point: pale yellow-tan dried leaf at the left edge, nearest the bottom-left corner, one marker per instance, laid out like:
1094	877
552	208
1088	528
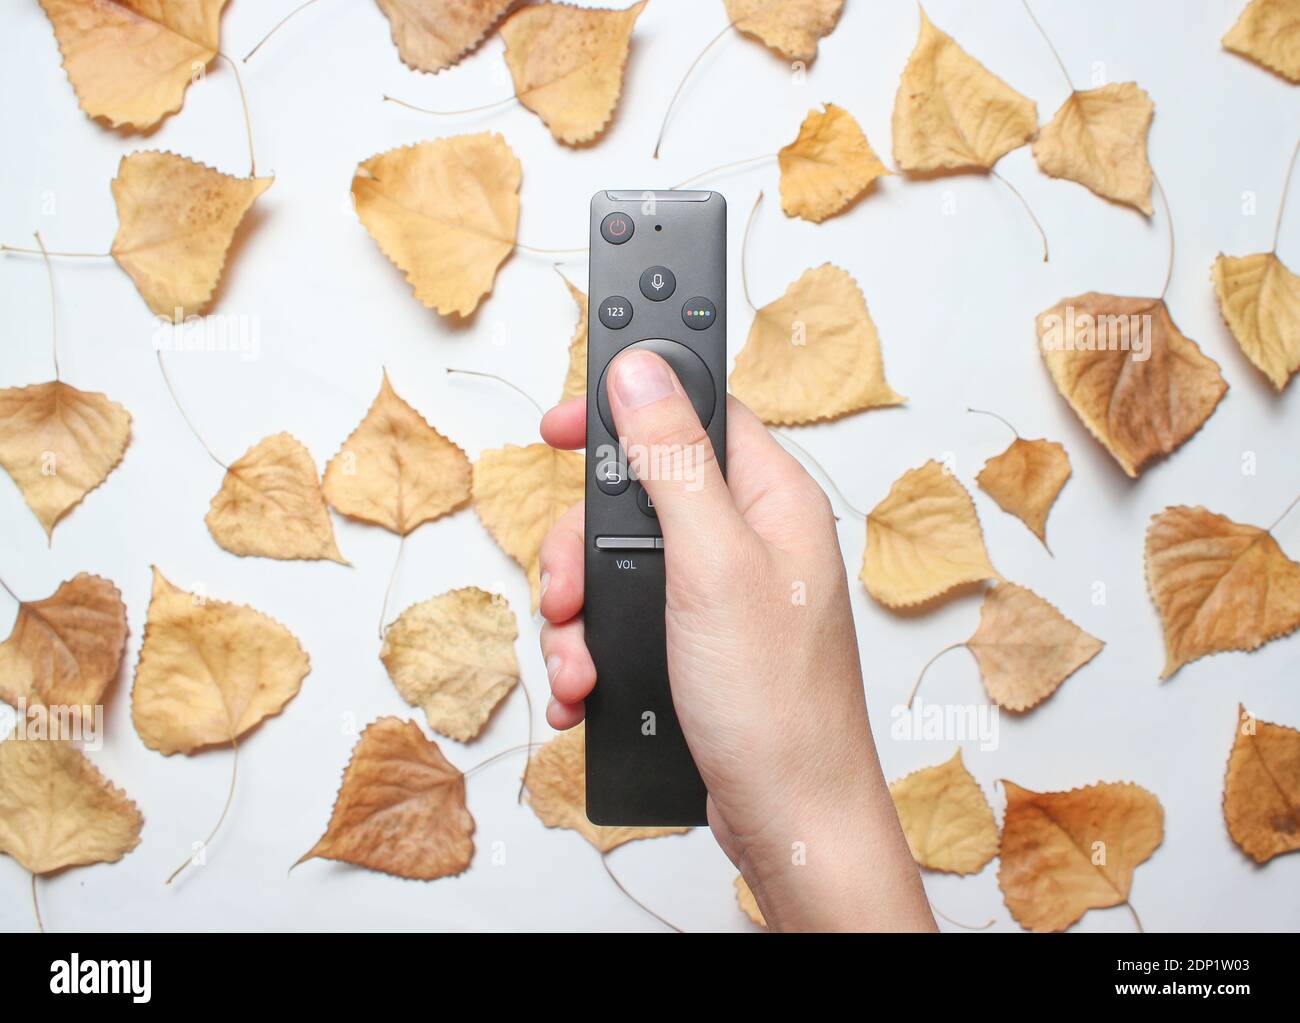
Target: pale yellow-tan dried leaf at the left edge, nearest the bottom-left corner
58	810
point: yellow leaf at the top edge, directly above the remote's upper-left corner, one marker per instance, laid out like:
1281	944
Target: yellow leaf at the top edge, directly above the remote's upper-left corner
567	64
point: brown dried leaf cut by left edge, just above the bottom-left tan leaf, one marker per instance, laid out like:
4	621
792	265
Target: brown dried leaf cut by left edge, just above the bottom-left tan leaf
66	649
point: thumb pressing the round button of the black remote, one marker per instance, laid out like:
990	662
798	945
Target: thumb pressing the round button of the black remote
670	450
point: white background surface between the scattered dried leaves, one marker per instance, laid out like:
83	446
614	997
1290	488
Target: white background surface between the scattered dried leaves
954	297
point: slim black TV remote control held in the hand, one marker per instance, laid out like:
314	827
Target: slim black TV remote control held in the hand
658	281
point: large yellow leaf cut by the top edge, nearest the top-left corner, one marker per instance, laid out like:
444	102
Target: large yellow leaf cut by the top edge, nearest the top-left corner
131	60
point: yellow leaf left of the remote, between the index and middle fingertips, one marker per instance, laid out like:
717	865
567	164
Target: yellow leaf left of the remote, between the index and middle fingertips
521	493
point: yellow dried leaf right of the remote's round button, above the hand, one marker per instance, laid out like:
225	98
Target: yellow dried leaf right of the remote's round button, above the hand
813	354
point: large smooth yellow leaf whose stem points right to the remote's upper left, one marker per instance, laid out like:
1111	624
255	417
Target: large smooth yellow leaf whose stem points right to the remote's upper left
445	213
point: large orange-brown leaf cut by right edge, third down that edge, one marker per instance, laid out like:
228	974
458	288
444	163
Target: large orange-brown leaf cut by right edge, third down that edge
1217	586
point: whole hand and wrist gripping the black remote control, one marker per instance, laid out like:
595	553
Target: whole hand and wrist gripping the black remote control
762	658
